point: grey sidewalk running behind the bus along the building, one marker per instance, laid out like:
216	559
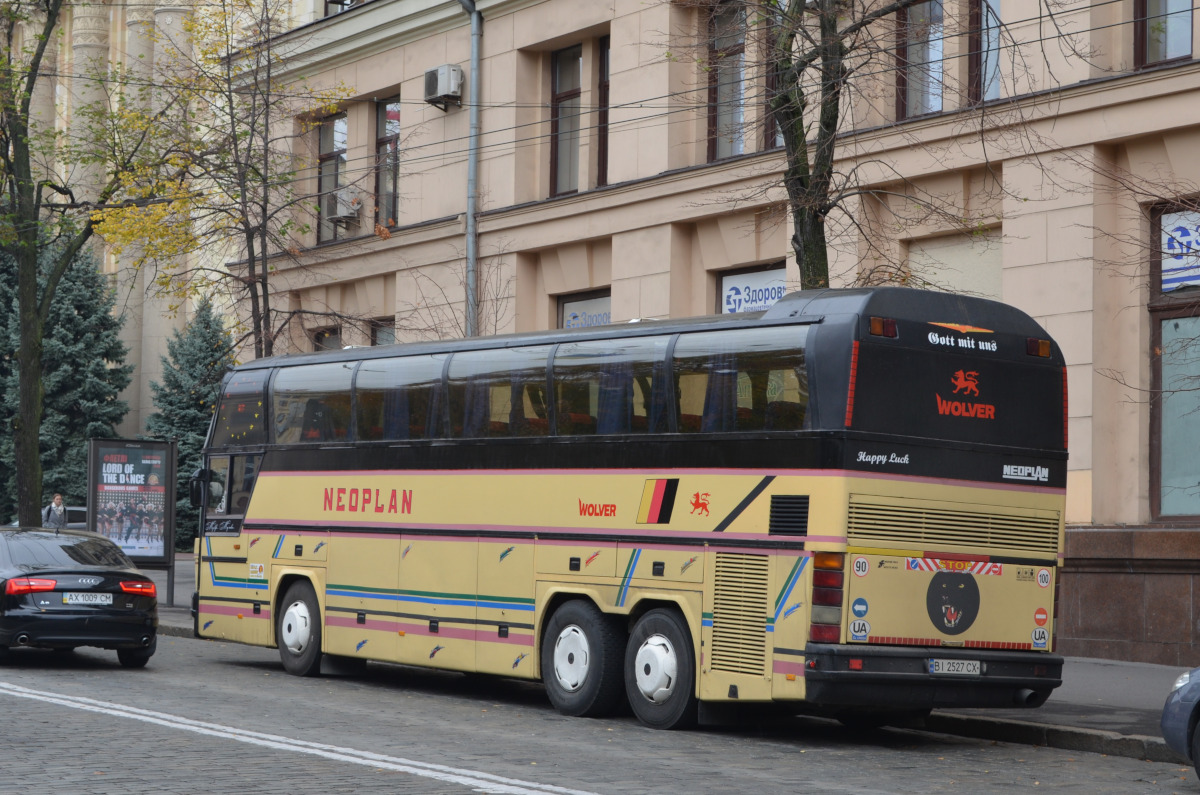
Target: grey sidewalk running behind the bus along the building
1103	707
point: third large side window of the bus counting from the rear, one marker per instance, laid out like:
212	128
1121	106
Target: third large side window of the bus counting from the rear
500	393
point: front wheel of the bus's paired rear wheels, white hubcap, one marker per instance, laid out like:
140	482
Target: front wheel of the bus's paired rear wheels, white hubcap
581	659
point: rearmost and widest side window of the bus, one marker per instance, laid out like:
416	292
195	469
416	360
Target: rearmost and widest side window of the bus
751	380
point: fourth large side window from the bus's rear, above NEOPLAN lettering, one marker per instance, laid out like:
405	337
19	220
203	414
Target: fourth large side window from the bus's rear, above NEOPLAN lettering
398	398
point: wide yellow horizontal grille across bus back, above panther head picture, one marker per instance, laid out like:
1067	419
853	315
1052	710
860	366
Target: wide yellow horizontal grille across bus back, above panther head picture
923	525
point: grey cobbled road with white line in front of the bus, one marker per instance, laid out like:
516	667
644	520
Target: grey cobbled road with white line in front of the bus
218	718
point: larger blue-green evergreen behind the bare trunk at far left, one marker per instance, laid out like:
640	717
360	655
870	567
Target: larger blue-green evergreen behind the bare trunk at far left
83	361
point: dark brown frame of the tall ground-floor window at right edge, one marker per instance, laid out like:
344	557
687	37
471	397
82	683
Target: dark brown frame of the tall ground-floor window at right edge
1163	307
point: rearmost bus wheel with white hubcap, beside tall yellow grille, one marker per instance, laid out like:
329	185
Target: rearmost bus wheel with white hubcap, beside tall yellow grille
661	672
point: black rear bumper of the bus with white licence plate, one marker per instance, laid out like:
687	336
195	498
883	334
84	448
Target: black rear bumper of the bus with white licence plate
899	678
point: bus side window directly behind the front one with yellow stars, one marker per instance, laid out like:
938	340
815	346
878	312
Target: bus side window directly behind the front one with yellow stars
313	404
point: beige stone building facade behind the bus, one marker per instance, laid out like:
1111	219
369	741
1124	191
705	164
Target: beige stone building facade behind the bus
1047	157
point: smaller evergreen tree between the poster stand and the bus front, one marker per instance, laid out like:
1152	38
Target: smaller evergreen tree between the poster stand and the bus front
191	385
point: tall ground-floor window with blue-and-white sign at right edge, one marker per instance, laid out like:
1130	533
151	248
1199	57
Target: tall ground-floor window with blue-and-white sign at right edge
1175	321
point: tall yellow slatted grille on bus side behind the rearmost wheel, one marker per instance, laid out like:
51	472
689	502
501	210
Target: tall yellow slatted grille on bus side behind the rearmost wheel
740	614
